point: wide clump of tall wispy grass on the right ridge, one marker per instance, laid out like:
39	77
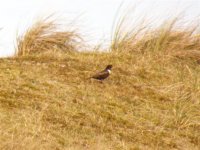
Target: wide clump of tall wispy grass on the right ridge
172	36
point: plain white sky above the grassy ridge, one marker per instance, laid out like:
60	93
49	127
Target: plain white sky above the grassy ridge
95	17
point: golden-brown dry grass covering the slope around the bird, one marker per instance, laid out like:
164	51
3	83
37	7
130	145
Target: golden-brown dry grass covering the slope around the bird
151	100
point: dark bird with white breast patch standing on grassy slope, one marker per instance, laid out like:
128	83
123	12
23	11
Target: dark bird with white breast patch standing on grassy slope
103	74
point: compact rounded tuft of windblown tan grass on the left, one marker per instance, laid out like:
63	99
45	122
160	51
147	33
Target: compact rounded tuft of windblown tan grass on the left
47	35
